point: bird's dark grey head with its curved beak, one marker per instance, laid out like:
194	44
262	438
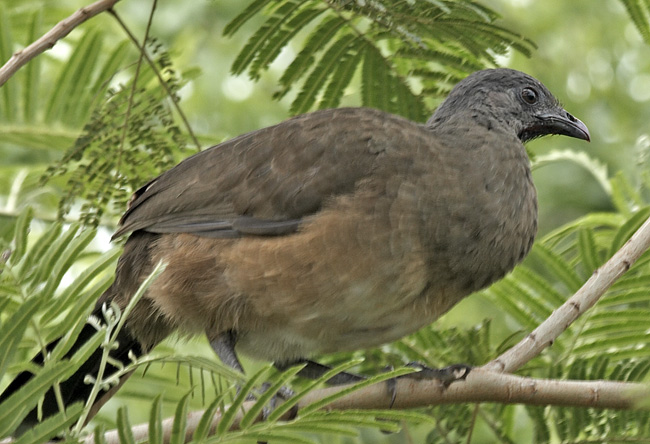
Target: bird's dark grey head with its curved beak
516	100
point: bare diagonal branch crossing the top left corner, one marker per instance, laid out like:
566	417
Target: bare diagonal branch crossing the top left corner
49	39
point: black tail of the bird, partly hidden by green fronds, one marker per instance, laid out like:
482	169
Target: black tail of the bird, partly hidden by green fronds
74	389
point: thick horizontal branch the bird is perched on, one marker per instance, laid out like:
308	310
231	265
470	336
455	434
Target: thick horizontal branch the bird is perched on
480	386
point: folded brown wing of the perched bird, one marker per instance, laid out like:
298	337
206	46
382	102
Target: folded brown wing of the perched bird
267	181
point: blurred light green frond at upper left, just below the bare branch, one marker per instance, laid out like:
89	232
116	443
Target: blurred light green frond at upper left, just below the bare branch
43	115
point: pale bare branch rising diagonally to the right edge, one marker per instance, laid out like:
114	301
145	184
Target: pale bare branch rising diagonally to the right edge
585	298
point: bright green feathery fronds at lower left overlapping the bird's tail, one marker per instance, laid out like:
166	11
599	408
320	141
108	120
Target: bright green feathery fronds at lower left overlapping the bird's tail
37	308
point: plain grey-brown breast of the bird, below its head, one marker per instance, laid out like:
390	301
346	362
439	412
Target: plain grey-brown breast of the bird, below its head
482	216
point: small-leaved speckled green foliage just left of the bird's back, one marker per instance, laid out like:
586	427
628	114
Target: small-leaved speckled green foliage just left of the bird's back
131	136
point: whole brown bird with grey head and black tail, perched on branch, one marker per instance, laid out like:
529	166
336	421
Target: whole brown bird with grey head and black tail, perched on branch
336	230
